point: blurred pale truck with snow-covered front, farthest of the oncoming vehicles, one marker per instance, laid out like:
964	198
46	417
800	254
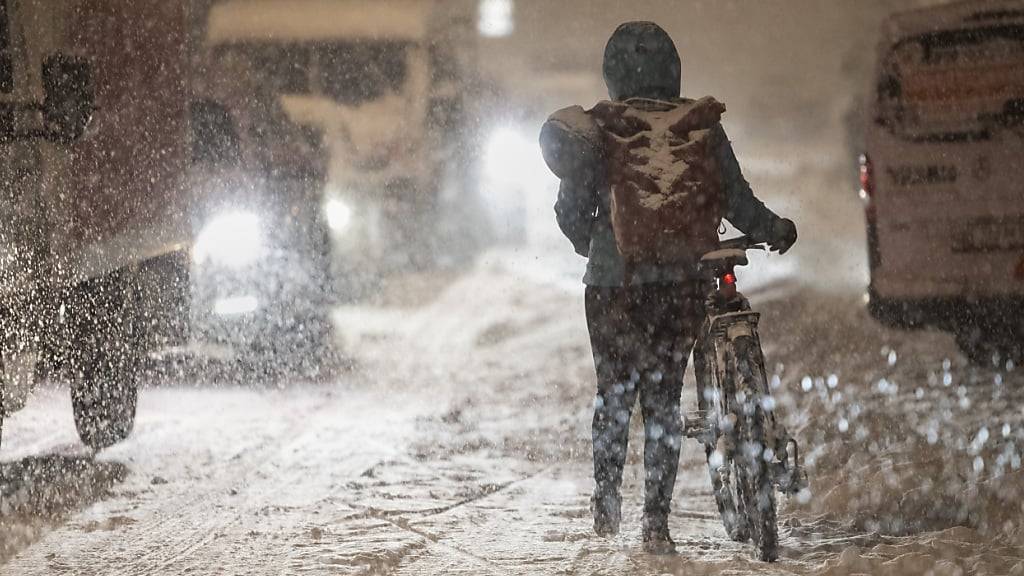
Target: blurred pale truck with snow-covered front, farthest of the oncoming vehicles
386	83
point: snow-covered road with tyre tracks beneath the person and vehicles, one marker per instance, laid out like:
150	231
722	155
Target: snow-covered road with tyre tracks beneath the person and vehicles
459	445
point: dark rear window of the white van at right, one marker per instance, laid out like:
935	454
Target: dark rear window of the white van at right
954	85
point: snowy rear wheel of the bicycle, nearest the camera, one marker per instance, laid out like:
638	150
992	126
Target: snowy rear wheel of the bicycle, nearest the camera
752	472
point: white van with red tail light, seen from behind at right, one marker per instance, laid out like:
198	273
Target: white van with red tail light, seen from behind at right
943	176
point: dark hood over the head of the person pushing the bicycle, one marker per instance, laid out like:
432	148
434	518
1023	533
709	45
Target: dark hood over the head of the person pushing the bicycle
642	61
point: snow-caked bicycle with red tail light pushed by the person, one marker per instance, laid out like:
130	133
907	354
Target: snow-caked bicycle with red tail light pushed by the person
750	454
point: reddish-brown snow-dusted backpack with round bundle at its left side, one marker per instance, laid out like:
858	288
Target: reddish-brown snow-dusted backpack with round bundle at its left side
660	162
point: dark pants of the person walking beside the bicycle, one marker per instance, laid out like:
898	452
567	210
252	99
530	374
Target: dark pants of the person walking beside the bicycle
642	338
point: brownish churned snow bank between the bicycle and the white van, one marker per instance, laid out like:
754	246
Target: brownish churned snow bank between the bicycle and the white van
905	442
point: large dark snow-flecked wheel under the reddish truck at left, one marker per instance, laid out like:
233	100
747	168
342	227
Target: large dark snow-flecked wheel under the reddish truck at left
106	366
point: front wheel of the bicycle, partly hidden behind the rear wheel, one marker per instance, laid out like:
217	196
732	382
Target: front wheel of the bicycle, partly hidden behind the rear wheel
730	506
